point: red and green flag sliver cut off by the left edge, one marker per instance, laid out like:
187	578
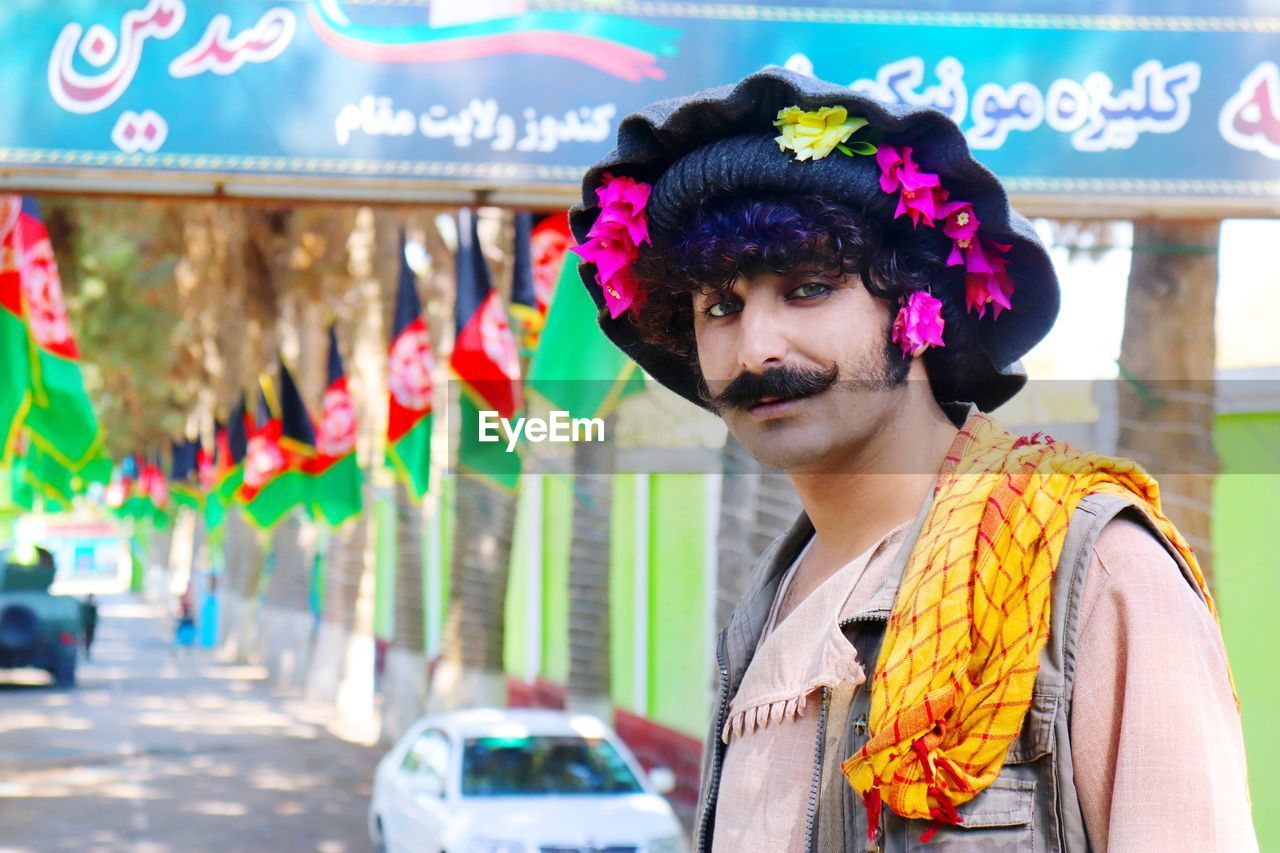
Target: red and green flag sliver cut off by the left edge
15	345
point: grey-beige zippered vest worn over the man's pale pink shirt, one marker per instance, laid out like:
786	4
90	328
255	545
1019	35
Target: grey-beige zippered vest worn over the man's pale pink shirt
1032	806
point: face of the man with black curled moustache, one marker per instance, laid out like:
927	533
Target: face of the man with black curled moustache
801	367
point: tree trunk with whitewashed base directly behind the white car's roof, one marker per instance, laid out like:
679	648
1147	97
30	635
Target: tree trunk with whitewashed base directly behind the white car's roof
472	662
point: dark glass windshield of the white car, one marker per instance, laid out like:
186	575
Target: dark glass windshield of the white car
545	765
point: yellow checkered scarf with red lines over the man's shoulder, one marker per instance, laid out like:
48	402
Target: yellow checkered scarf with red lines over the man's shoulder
962	649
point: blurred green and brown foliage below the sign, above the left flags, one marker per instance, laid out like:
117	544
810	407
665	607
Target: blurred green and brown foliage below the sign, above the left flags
179	307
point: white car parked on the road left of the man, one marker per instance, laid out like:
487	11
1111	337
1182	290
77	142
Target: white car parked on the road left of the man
519	782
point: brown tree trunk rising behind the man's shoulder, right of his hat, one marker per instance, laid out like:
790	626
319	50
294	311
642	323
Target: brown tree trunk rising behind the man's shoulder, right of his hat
1168	361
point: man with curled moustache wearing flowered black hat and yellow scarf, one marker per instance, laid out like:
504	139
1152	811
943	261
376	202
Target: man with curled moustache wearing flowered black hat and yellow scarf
968	640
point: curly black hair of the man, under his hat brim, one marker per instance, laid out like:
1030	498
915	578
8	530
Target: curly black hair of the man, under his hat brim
733	236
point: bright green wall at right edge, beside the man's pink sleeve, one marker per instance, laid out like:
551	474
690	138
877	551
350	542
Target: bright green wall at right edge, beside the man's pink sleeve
1247	589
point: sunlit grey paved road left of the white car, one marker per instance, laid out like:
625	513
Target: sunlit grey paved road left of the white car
154	754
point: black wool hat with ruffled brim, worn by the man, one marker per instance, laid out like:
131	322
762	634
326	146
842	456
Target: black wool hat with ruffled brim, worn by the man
721	142
